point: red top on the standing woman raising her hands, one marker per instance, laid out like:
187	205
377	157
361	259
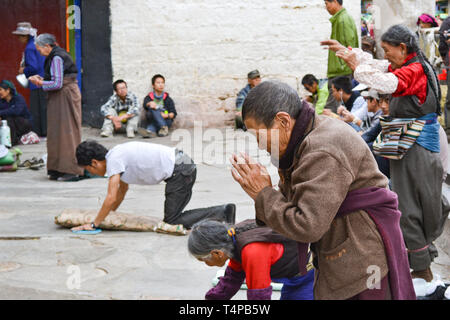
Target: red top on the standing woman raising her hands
412	81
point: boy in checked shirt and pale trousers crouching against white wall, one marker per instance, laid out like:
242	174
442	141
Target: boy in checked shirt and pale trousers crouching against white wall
121	110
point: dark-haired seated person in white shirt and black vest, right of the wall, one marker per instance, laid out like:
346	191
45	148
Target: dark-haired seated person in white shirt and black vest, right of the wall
351	101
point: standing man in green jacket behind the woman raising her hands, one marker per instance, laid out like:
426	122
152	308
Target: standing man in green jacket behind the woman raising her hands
344	30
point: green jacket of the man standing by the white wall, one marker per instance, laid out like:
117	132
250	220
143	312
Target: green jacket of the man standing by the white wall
343	29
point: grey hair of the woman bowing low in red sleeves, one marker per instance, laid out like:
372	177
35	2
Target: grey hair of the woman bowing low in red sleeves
209	235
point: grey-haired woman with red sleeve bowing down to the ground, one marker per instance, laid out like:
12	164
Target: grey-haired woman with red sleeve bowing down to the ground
257	254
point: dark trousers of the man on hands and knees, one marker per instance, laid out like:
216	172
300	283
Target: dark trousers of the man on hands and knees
179	192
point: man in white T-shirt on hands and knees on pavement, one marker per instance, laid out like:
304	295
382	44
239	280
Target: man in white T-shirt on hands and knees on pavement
148	164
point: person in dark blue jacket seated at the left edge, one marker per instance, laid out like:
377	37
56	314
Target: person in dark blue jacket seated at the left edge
14	110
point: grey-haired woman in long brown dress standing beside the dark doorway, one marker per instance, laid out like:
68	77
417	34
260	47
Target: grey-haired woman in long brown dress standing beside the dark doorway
63	109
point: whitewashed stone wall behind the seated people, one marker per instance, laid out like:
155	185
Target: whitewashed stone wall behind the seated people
205	48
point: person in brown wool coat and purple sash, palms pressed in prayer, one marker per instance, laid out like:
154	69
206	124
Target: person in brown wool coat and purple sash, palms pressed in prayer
331	195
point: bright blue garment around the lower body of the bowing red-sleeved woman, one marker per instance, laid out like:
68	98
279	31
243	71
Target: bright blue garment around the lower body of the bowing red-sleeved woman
297	288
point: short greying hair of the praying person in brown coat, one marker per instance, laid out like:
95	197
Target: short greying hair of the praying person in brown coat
265	101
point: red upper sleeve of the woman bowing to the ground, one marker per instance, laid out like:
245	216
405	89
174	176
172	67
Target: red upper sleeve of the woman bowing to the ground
257	260
